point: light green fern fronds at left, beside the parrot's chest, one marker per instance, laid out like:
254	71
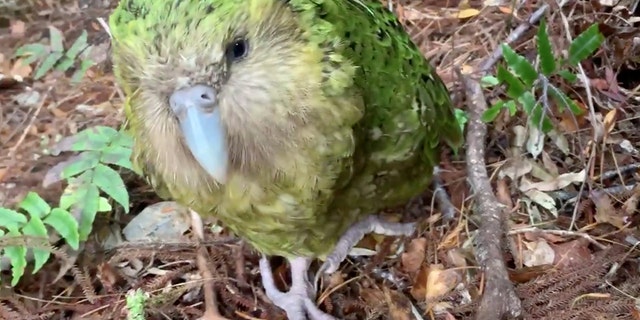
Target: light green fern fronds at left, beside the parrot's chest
87	175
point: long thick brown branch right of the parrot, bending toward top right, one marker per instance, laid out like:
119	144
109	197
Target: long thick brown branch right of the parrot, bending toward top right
499	298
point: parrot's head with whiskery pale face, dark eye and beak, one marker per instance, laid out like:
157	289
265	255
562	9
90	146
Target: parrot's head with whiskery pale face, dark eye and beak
225	83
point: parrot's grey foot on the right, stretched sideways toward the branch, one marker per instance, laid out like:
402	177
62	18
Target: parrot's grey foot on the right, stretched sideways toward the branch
355	233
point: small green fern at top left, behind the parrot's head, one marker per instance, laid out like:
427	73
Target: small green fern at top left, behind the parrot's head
54	57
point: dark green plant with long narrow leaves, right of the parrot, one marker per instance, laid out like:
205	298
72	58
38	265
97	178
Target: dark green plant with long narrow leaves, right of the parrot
529	88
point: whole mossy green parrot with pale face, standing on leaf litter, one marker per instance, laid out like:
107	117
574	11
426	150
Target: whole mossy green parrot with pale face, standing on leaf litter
291	121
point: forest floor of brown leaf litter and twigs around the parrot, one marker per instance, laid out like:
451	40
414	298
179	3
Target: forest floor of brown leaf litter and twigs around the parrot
570	205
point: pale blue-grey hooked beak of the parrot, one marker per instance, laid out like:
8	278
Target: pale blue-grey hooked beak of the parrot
199	116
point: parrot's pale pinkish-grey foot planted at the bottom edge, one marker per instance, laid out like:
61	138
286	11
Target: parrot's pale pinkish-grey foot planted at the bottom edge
297	302
